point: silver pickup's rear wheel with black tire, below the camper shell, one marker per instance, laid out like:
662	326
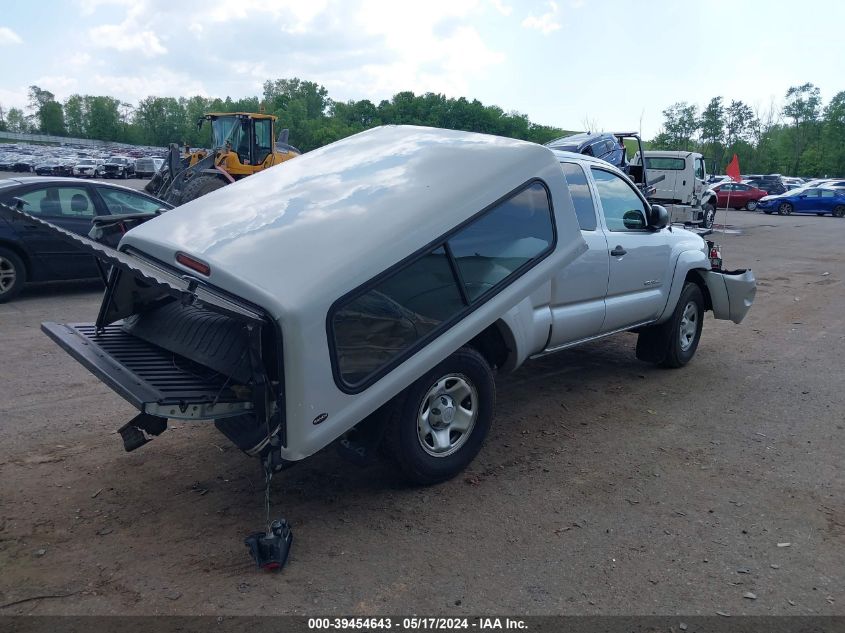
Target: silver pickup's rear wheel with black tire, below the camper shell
432	436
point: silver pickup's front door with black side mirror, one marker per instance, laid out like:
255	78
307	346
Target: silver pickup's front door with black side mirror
639	274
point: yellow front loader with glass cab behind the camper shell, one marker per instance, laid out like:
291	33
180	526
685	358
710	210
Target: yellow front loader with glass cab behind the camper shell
242	144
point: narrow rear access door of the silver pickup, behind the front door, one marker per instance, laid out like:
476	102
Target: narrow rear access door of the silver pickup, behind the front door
579	289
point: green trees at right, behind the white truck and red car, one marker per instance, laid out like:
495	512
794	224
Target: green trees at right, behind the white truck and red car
802	137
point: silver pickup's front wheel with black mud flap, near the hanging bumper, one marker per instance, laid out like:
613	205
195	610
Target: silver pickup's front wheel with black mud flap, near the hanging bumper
673	343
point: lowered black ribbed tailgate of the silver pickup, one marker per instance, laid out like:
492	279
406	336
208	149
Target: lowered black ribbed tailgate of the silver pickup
152	379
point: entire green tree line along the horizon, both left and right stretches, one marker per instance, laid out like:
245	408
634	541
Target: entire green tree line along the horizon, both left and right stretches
802	136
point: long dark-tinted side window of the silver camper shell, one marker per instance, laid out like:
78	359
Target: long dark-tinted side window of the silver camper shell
379	325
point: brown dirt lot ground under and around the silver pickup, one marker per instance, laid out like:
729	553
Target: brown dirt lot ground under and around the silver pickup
606	487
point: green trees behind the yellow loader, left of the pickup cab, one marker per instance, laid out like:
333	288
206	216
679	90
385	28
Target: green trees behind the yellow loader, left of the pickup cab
304	107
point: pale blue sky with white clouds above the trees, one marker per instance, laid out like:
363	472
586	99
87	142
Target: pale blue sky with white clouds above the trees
608	65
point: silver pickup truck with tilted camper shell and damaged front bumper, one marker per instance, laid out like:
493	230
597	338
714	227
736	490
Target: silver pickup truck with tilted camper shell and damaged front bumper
369	291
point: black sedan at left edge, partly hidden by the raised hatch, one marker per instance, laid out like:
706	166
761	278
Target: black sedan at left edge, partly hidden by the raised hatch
30	252
